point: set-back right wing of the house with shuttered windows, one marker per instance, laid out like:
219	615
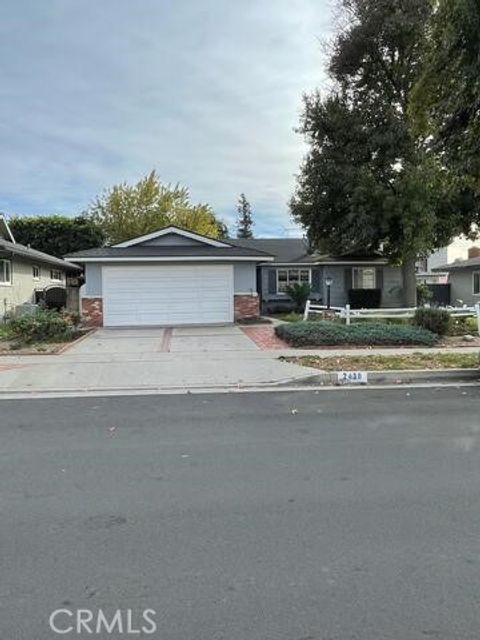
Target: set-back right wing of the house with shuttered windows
293	262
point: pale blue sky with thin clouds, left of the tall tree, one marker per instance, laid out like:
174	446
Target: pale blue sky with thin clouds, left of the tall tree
207	92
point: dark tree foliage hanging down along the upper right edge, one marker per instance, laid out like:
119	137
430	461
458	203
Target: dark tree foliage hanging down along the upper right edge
445	105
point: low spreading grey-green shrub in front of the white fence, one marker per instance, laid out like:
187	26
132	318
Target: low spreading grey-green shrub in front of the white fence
312	334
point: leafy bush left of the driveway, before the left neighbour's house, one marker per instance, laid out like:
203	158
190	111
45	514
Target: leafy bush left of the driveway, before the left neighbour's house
45	325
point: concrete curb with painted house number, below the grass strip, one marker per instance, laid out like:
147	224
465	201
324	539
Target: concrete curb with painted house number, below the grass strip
421	376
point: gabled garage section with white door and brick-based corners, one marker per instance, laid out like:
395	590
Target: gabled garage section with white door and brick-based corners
170	277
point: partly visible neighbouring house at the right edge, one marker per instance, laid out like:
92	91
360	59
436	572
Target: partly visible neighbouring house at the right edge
464	278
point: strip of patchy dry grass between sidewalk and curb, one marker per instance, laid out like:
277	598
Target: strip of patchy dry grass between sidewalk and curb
389	363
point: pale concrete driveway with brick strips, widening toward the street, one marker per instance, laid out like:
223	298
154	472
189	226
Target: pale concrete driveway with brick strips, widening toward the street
118	360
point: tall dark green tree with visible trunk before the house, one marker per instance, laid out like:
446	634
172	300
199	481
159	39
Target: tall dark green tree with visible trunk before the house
368	182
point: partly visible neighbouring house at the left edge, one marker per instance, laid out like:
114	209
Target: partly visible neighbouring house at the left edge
24	272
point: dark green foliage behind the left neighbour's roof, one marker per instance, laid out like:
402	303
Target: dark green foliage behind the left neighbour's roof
56	235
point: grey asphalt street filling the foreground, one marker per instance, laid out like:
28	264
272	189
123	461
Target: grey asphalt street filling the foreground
343	515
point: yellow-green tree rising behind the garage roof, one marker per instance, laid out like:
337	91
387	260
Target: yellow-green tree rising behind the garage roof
125	211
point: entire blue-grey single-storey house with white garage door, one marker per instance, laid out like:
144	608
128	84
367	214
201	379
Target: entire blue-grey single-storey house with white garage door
173	277
